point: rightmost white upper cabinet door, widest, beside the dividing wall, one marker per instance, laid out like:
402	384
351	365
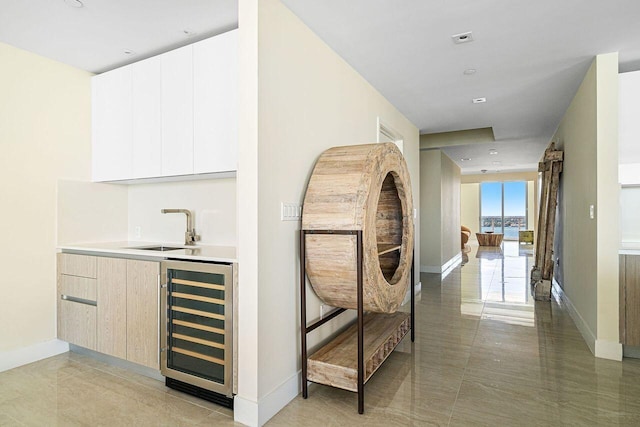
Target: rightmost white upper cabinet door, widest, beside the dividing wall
215	71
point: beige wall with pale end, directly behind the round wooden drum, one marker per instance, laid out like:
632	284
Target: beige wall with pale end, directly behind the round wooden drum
309	100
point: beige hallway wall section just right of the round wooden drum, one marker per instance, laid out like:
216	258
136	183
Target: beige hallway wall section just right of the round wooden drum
440	210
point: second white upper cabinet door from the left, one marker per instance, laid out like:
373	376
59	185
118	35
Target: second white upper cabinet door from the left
147	118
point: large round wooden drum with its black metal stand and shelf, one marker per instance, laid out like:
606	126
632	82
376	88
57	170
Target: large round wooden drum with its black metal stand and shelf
356	249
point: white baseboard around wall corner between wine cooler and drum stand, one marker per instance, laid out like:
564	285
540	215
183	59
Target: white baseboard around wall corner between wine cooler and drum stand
257	414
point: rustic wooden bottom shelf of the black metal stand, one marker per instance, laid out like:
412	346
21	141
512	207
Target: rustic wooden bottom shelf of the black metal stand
336	364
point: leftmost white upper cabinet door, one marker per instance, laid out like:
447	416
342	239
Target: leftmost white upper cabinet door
112	125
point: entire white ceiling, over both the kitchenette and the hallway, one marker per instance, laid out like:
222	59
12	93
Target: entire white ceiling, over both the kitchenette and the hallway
530	56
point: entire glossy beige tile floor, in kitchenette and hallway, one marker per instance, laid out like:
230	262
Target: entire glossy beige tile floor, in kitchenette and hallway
484	355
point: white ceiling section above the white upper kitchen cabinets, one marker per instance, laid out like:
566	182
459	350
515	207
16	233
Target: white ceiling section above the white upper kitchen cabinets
94	37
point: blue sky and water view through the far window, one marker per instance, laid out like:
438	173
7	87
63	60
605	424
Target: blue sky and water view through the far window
503	208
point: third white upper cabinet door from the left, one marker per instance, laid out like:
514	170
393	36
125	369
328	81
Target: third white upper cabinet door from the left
177	112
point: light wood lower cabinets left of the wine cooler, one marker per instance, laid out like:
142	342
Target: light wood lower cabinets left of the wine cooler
116	312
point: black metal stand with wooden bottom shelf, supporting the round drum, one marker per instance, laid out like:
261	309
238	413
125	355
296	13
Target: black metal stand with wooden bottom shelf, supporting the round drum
351	358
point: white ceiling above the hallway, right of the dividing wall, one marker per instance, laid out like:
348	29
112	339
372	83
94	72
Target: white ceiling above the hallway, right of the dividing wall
530	58
